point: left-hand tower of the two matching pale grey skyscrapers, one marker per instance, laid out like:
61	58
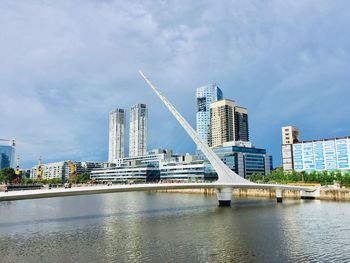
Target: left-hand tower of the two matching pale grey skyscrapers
116	134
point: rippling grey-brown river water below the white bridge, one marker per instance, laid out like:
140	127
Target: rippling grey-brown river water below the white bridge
172	227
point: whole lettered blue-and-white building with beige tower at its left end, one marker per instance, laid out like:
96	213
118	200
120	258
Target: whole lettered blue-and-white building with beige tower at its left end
314	155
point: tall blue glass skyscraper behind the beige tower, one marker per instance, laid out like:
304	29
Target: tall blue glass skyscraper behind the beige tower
205	96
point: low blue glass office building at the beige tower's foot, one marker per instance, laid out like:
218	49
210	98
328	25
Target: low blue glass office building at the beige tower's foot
243	159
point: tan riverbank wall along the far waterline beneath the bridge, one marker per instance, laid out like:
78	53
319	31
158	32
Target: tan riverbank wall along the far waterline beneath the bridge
325	194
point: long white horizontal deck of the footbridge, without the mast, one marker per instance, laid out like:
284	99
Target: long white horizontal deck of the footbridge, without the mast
87	190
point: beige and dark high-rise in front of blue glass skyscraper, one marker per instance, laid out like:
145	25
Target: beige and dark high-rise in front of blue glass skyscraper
228	122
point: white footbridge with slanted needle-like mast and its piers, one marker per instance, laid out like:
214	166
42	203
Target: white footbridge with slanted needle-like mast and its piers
227	179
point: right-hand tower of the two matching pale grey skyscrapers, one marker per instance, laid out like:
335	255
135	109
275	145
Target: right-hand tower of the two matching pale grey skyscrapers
138	130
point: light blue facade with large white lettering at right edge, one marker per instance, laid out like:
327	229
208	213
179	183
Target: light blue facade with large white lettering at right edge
322	155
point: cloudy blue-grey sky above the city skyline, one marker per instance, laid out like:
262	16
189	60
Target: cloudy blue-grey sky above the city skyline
65	64
